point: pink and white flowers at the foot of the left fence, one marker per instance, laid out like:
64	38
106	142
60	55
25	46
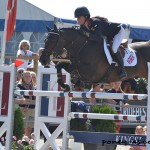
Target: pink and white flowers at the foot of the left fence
24	144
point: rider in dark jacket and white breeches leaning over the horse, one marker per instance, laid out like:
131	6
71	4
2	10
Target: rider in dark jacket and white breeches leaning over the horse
95	28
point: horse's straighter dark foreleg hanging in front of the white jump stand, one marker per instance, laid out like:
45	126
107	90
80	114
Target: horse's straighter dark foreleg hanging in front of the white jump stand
60	81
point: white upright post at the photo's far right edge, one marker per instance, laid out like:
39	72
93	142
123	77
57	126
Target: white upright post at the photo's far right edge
148	111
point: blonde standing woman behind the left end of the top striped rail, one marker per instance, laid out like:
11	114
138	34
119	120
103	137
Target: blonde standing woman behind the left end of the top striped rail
27	102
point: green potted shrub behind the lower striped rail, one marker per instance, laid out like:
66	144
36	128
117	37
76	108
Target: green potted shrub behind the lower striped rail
99	125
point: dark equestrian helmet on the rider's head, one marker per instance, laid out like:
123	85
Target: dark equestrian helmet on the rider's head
82	11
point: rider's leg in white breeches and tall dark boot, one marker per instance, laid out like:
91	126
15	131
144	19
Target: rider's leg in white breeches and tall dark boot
116	42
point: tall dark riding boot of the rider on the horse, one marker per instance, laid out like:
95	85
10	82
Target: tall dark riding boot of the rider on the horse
119	59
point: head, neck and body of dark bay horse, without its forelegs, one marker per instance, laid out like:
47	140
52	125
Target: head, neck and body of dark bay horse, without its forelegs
89	57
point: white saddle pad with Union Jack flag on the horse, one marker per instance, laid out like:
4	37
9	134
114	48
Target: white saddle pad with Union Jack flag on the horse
129	59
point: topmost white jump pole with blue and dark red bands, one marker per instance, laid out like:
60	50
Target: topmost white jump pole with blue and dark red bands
82	94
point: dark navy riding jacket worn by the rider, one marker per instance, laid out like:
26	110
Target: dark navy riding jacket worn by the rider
96	28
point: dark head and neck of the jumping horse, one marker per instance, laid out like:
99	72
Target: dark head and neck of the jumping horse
57	40
